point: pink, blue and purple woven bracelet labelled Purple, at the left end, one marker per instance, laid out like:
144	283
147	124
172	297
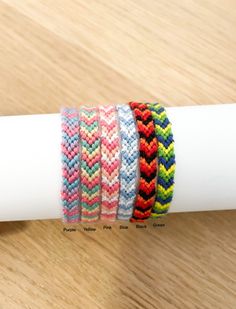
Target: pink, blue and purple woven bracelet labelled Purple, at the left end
70	165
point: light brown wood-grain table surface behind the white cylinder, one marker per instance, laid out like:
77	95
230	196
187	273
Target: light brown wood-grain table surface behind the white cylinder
55	53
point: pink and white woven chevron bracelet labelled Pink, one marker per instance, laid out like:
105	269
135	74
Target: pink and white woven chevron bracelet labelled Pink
110	162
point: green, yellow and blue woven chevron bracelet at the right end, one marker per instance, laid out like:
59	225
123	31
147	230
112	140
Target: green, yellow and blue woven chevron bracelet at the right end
166	157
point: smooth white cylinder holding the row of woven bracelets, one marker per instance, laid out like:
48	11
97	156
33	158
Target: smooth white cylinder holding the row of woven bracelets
30	162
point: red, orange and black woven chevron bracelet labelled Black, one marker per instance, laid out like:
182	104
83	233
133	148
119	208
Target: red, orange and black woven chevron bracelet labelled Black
147	162
